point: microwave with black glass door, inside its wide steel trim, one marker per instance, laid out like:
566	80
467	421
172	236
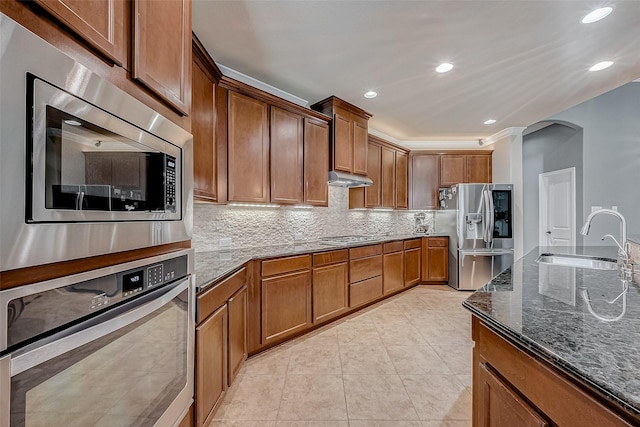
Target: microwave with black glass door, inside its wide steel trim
89	165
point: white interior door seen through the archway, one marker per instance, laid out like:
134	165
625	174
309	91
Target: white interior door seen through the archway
557	226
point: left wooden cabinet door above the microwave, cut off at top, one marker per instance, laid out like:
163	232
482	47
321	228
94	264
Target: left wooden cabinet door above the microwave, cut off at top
100	23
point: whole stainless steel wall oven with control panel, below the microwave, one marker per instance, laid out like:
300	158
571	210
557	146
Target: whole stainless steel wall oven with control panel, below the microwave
109	347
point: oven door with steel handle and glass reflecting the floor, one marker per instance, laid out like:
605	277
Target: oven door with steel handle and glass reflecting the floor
137	374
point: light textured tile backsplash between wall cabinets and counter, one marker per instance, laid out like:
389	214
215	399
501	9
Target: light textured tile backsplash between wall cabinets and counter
262	226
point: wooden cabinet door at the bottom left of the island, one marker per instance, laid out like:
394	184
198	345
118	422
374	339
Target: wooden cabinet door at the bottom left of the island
500	406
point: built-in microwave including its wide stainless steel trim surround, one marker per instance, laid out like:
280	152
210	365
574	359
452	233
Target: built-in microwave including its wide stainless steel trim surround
85	168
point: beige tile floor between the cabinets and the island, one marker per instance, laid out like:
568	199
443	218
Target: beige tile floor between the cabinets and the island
403	362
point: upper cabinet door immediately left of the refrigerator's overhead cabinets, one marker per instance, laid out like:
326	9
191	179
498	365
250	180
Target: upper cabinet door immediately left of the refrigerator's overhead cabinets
425	181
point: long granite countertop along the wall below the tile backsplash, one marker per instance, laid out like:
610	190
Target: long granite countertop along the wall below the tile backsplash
213	265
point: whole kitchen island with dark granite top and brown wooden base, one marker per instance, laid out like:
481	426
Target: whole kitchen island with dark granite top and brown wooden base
544	357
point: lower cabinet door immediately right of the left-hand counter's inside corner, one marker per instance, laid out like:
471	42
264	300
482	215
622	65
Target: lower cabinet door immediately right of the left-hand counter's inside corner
286	305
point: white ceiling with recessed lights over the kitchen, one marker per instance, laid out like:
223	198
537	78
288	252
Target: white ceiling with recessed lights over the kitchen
515	61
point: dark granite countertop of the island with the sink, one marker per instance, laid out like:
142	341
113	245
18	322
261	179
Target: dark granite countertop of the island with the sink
540	308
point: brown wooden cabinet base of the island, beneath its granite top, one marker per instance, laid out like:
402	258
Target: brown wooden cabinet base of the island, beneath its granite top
512	387
